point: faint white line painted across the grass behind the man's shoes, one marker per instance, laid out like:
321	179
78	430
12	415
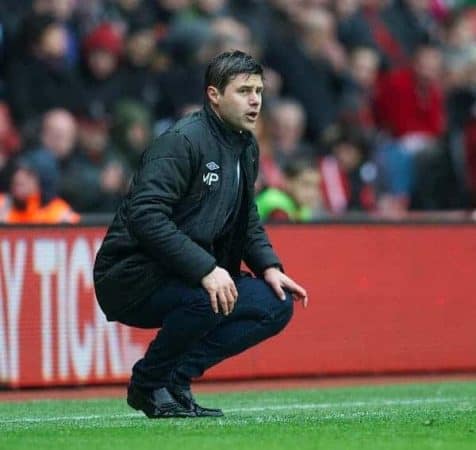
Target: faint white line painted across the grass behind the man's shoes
288	407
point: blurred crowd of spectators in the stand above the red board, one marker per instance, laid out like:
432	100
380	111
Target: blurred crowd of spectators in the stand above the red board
370	105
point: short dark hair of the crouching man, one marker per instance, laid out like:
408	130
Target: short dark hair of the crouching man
226	66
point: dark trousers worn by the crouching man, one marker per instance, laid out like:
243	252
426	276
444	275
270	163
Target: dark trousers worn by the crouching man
193	338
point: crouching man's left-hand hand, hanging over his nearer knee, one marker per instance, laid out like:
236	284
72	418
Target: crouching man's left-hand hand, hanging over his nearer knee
222	290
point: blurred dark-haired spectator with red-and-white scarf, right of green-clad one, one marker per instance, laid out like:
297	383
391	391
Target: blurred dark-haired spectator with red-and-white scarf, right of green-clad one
347	173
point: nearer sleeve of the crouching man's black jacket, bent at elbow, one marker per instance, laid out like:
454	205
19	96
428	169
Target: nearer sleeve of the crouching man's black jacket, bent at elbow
161	182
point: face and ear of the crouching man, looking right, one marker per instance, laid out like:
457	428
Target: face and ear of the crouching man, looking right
240	103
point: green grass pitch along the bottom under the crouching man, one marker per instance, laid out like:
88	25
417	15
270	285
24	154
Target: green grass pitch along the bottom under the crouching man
417	416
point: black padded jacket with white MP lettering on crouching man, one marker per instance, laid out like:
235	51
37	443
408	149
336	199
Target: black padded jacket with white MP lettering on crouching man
173	223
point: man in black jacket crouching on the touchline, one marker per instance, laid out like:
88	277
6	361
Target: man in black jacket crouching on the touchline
172	256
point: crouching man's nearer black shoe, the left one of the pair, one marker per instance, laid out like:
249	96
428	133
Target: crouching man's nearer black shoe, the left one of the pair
157	404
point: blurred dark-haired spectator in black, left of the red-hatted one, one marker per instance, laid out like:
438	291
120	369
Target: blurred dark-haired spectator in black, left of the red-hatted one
40	79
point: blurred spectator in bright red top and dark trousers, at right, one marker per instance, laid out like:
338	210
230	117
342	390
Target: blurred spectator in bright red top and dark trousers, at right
416	115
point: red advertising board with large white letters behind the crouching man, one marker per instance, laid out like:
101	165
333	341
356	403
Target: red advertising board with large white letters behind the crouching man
383	298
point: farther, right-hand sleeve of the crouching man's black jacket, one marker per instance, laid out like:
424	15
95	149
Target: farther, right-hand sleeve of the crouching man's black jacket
259	254
